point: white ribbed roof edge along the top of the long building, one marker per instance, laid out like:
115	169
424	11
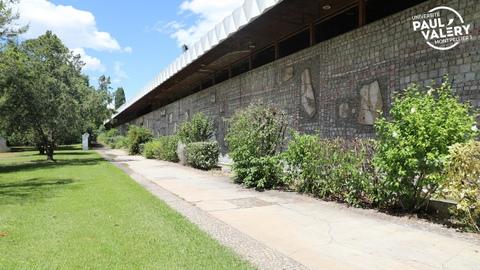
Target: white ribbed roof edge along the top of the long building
243	15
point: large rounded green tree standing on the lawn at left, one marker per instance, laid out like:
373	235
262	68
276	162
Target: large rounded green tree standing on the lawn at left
43	93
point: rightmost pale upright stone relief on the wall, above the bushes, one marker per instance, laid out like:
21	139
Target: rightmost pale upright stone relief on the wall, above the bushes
370	103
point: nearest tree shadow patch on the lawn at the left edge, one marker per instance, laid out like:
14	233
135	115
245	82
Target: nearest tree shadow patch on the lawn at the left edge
31	190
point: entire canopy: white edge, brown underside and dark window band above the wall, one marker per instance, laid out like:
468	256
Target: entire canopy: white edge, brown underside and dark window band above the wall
263	30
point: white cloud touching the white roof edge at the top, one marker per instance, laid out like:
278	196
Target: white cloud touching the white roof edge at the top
209	14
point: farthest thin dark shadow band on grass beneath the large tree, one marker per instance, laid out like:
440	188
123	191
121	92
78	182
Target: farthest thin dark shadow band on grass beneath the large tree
44	164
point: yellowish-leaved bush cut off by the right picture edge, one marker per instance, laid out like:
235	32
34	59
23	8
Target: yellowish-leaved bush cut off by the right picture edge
463	183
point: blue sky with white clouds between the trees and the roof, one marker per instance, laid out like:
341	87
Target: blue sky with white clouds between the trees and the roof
130	41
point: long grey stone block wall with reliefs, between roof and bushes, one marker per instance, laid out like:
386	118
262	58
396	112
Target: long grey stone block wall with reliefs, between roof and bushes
336	87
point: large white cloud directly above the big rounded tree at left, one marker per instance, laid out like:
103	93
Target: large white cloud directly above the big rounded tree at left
77	28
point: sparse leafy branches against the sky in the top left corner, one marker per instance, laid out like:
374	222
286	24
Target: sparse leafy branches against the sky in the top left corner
8	29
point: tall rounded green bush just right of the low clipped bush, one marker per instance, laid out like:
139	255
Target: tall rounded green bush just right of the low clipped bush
254	139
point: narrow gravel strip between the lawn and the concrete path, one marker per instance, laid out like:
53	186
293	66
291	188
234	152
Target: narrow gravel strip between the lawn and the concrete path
250	249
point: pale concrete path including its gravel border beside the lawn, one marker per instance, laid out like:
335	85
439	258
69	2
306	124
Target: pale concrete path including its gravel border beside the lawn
301	231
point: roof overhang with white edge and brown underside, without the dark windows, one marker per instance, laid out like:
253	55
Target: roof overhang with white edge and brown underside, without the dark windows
254	25
